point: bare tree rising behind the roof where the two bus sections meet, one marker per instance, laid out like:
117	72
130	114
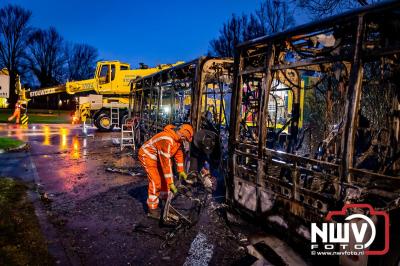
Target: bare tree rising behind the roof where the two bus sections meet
272	16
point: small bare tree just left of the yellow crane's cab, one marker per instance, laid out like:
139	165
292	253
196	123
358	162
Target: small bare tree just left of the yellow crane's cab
81	61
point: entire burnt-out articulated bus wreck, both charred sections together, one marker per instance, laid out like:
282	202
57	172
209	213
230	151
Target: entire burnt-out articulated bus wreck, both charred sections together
302	123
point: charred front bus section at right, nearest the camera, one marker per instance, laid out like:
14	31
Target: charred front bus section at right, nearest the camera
315	126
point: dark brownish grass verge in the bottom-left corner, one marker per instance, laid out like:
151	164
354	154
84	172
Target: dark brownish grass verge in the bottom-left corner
21	240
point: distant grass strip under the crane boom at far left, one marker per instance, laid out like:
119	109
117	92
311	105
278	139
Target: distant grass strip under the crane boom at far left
40	116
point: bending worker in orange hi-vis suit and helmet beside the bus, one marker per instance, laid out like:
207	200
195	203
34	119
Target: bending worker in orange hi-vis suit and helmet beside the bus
155	156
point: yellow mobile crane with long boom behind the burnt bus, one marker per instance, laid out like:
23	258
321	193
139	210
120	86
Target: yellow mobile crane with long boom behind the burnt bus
108	107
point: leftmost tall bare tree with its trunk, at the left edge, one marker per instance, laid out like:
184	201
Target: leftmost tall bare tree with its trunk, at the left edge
14	30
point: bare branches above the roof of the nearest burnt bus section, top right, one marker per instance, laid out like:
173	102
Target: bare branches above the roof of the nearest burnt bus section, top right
329	7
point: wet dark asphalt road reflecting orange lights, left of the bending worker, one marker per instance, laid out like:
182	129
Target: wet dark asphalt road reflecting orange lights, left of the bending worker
96	213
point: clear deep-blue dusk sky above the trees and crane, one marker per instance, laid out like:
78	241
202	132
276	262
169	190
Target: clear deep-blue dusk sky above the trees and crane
153	32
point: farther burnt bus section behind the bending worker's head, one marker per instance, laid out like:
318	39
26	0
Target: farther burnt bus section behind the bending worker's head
197	92
